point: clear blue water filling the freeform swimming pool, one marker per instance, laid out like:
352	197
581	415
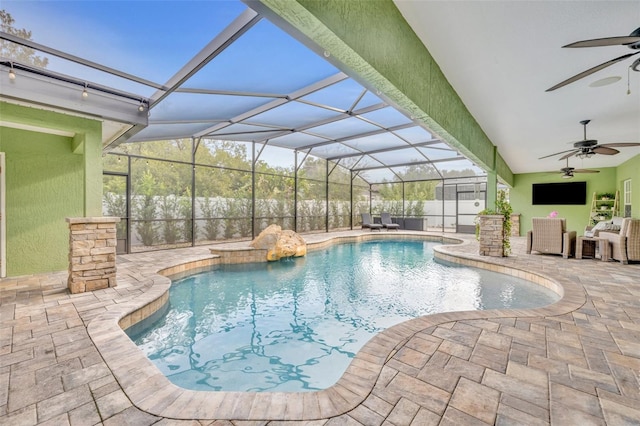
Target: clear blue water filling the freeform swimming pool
295	325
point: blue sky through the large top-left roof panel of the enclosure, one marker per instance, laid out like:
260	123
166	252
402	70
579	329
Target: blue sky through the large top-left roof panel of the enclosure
152	39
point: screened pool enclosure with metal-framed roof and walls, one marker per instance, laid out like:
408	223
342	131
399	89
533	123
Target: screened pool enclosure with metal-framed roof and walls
216	130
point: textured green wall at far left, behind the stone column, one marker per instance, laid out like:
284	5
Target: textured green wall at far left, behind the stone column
49	177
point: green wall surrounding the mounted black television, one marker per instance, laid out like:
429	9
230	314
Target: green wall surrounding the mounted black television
577	215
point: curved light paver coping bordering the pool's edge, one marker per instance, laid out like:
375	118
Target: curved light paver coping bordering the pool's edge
149	390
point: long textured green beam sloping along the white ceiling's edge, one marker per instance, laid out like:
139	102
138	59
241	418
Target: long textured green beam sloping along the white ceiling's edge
373	42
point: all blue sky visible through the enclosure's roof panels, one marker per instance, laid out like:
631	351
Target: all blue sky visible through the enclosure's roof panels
154	40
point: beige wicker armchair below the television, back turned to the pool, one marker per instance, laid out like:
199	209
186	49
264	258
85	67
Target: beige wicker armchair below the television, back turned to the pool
549	236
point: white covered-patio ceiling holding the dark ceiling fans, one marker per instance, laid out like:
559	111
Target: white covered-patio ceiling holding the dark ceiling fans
501	56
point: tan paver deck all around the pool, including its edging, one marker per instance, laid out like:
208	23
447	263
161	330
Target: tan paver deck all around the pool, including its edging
63	359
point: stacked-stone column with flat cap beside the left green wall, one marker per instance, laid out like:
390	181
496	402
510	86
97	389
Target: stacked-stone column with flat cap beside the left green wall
92	253
